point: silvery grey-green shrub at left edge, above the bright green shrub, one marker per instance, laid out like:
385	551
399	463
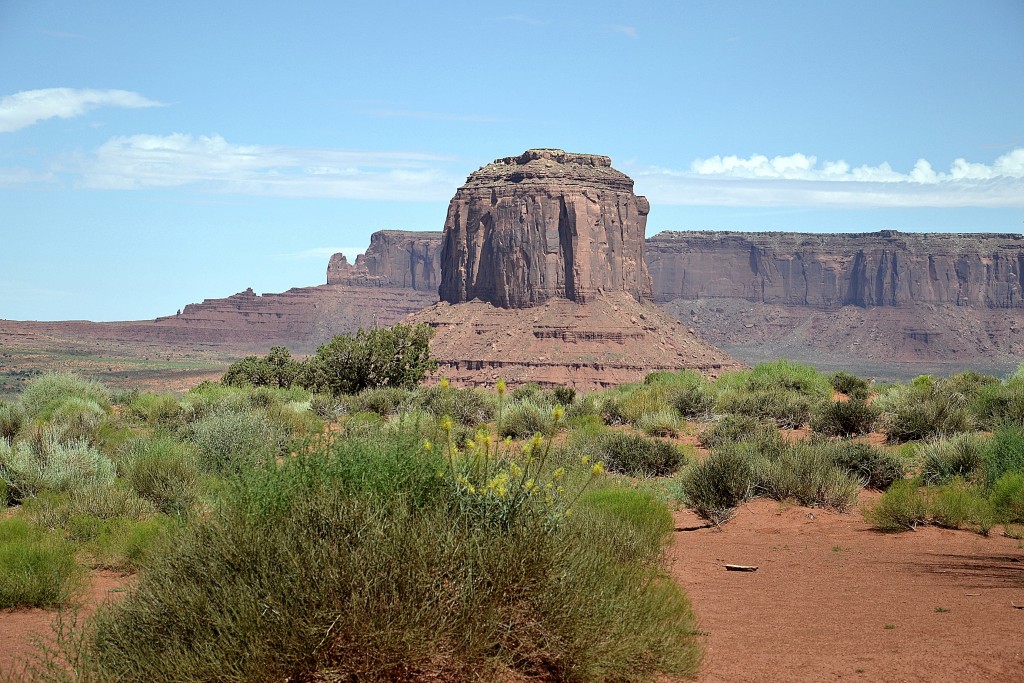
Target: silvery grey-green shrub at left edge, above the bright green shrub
47	464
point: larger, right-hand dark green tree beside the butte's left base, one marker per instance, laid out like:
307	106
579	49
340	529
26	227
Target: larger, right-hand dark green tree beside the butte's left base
397	357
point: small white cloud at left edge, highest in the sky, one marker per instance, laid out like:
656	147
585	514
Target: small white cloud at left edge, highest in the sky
29	107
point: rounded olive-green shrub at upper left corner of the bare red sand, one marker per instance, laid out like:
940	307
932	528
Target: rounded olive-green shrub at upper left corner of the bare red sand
715	487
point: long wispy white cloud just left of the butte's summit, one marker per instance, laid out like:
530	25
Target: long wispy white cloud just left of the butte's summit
211	164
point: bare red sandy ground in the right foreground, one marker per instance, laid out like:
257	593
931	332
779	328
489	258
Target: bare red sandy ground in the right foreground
833	601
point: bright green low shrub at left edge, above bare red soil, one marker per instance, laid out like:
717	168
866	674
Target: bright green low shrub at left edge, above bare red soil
37	569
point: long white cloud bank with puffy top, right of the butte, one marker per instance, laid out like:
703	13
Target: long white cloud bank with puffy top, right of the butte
799	181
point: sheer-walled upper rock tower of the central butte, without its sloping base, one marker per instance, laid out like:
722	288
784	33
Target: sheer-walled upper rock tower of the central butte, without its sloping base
545	225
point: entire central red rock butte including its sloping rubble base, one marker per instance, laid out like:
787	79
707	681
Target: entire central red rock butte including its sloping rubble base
544	280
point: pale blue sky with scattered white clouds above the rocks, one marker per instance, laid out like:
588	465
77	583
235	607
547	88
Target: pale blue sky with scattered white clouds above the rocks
154	155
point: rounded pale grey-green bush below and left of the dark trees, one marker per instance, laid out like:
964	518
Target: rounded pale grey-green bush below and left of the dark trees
231	442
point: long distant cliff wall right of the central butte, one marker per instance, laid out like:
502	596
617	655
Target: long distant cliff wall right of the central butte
829	272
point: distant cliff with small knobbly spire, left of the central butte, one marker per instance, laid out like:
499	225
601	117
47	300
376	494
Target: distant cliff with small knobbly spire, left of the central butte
396	259
